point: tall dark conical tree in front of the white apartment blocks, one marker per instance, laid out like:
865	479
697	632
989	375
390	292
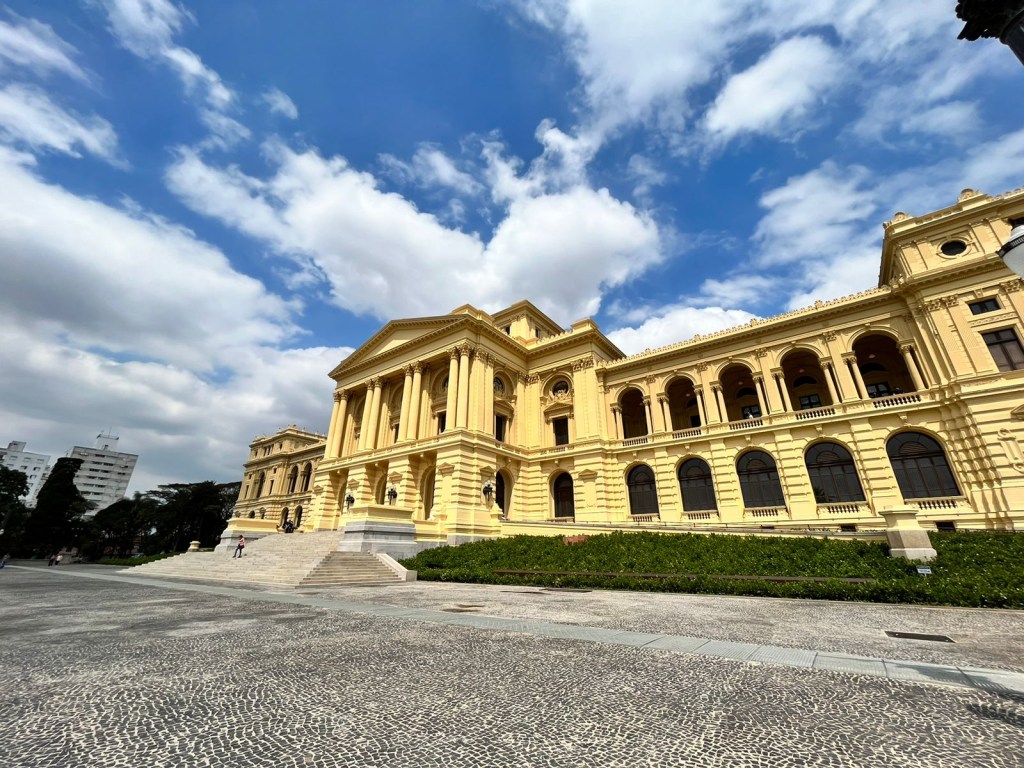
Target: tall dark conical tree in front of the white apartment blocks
57	521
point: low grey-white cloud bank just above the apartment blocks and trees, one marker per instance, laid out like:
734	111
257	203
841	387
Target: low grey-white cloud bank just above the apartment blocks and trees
185	429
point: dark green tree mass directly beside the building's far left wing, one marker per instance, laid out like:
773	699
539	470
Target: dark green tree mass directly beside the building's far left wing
196	511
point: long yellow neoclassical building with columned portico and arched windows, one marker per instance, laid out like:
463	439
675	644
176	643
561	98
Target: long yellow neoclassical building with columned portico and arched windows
451	429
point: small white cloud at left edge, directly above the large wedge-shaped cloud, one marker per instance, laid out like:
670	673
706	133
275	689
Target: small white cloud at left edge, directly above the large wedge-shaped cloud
29	118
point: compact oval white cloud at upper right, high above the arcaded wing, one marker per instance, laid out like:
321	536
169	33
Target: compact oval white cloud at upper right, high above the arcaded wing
777	93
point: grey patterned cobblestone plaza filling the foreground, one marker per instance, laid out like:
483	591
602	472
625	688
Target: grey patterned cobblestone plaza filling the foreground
103	669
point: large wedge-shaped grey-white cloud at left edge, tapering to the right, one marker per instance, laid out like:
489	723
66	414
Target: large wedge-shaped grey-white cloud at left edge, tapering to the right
131	284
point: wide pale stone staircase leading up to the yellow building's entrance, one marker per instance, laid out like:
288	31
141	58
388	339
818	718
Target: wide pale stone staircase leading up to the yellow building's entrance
296	561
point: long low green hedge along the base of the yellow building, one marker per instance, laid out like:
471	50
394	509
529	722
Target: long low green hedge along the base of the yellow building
972	570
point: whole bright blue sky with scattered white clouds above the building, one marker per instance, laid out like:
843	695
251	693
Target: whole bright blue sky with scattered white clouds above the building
204	207
